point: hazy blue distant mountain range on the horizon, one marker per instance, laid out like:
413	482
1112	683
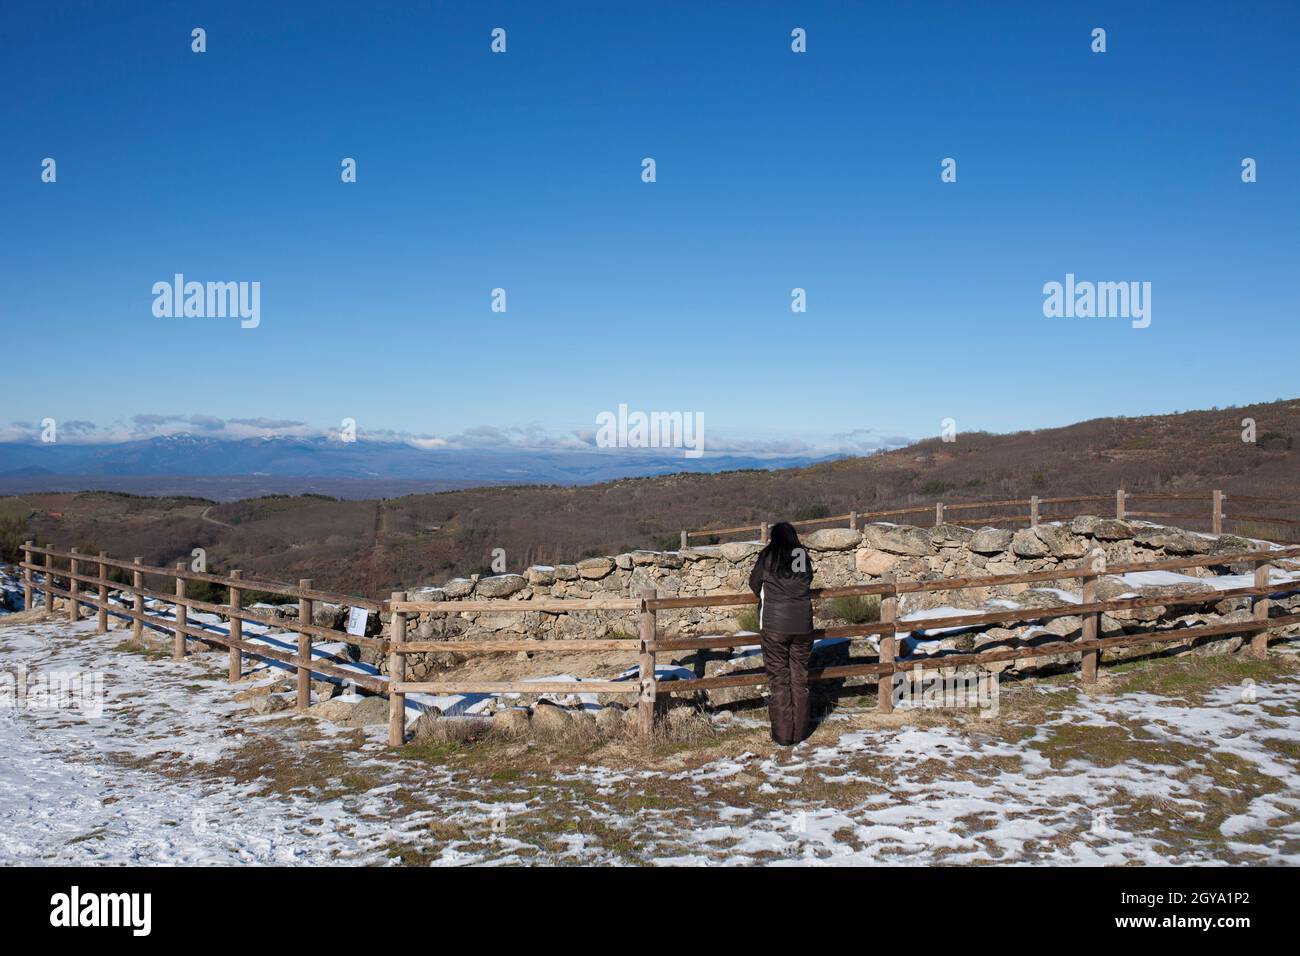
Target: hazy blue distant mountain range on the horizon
40	468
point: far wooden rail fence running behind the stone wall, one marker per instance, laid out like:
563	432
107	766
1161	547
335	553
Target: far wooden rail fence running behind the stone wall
1033	512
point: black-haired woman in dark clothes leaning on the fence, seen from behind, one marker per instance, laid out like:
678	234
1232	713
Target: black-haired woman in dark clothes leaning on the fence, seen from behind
782	578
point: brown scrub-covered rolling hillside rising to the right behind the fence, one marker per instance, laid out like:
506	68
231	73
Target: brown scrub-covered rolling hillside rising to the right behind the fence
375	546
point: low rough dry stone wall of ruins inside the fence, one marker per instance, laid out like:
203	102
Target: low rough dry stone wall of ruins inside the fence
844	557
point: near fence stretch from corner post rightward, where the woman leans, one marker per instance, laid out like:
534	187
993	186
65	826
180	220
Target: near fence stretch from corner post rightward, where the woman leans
649	644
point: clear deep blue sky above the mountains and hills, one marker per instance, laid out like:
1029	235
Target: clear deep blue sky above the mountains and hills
775	171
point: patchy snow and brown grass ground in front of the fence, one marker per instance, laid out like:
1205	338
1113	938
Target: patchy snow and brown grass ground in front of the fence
175	772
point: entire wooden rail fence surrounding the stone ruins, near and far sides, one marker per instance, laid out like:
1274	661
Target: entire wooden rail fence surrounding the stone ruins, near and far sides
649	643
